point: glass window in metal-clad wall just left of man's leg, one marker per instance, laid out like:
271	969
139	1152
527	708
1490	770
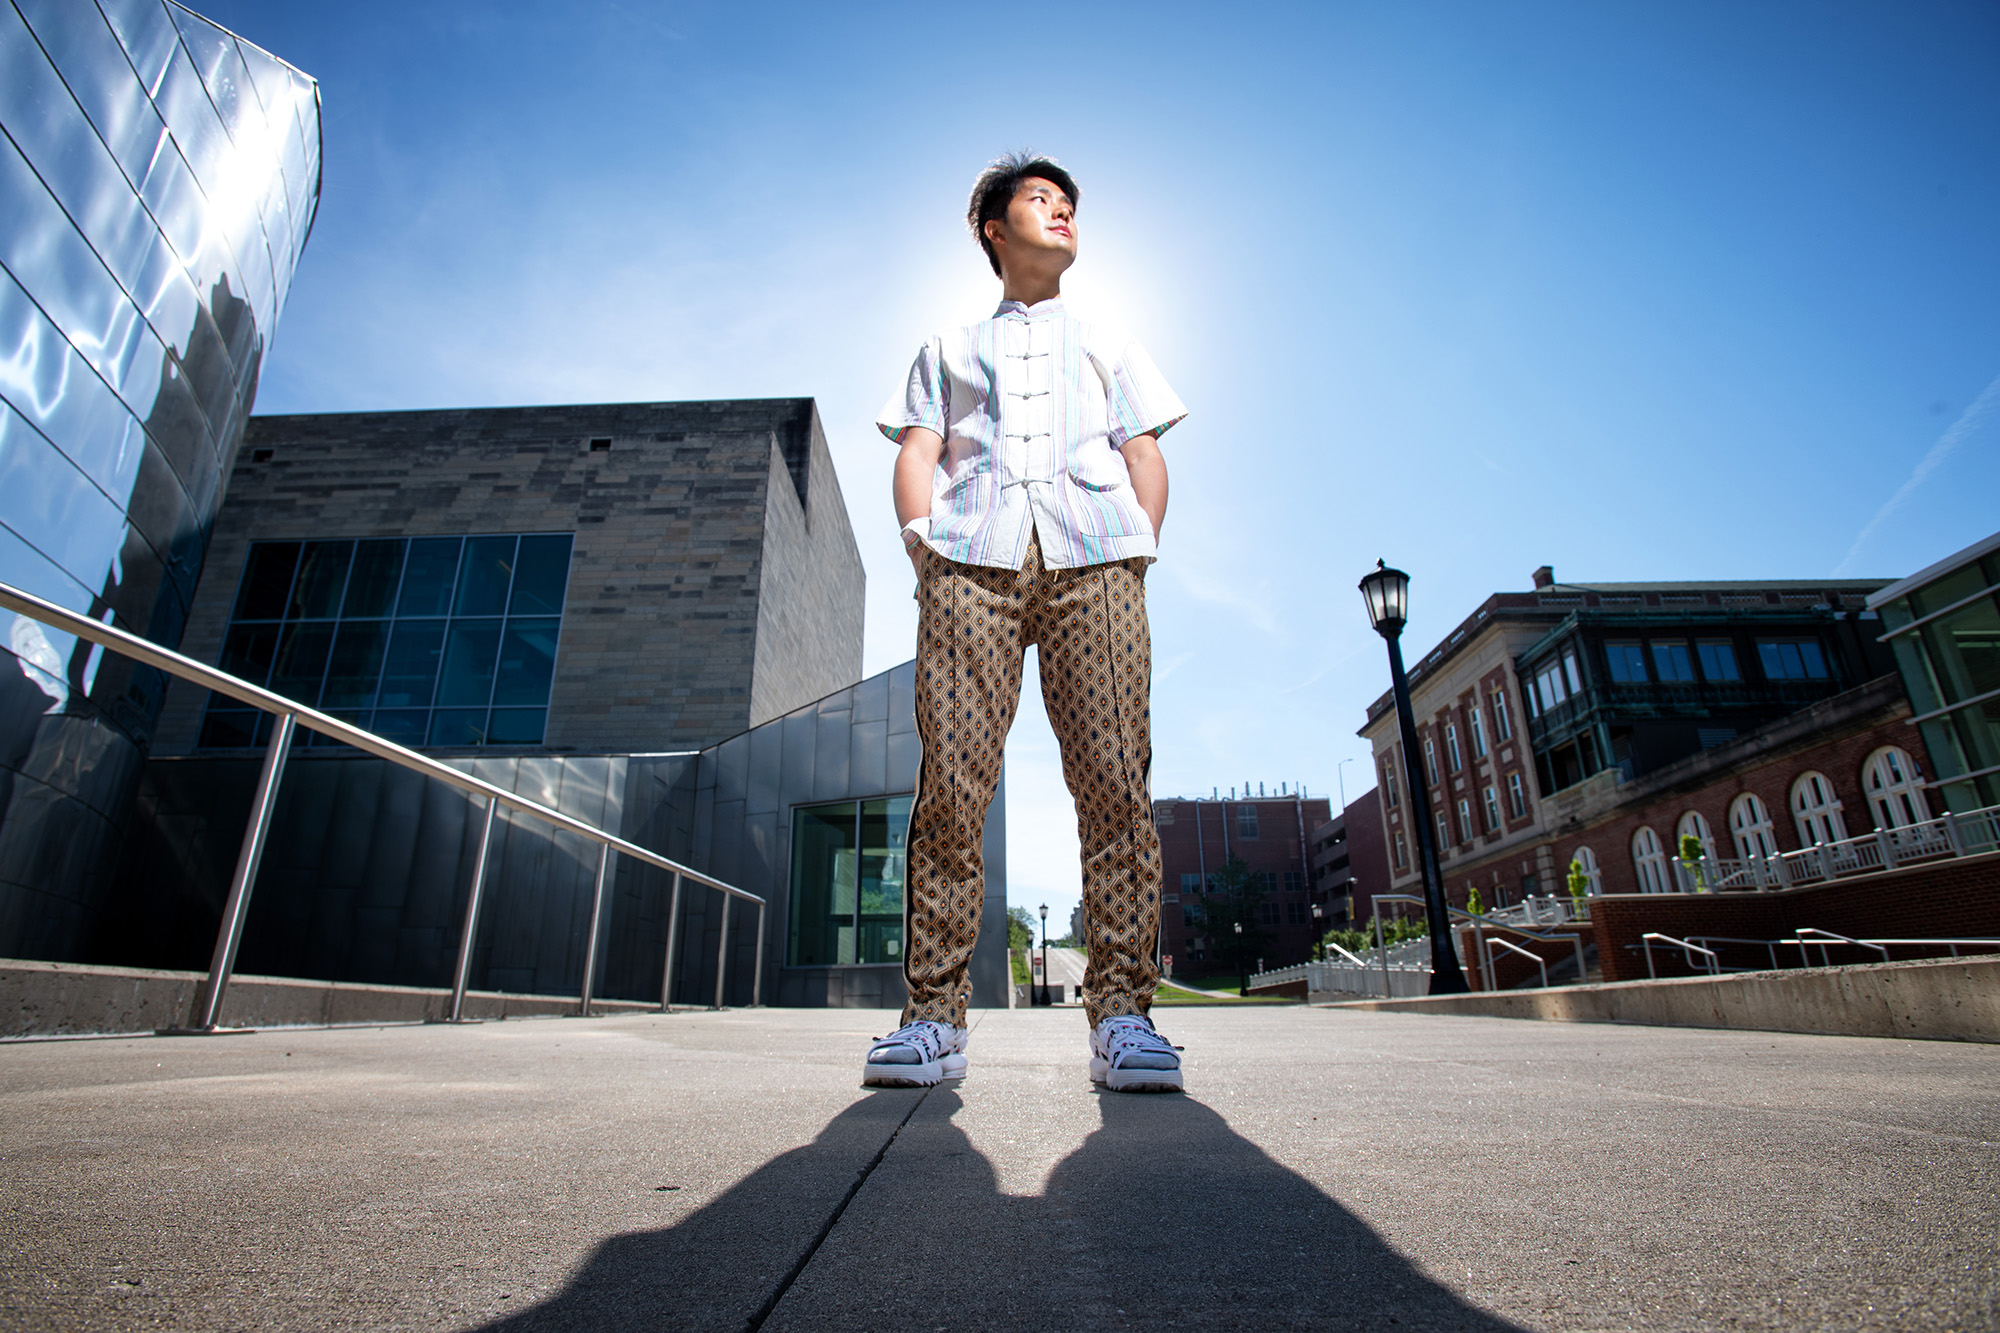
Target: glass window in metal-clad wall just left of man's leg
849	866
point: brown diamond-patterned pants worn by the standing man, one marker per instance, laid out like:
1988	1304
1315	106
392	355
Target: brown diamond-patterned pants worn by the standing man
975	623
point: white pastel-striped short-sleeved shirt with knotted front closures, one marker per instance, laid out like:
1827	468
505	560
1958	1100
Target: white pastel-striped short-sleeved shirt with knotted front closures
1035	407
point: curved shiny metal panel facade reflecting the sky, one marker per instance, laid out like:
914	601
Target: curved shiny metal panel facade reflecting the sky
157	185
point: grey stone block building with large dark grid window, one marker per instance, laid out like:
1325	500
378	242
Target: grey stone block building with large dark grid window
703	575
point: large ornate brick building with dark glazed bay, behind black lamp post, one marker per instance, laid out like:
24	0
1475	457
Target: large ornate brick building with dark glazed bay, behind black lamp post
1565	722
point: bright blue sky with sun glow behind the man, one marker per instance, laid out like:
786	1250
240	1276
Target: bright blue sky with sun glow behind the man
1639	291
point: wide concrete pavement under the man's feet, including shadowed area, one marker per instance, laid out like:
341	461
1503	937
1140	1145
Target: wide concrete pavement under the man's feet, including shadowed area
715	1172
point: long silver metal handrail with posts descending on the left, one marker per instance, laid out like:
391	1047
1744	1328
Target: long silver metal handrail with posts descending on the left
293	716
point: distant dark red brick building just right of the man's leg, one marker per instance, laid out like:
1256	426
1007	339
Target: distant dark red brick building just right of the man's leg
1199	836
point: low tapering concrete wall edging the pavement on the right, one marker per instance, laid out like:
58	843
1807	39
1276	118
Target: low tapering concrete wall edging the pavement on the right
1945	1000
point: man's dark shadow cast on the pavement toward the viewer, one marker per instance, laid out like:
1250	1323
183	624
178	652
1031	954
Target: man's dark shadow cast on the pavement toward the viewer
1165	1218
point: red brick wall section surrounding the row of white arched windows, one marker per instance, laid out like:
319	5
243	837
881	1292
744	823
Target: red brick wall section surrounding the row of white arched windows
1841	760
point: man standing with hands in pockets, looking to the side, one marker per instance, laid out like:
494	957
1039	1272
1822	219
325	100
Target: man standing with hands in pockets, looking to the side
1031	493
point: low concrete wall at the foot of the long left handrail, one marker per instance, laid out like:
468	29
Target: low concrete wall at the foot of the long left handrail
61	1000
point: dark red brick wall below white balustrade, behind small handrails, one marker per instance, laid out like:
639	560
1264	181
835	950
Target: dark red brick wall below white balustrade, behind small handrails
1927	902
